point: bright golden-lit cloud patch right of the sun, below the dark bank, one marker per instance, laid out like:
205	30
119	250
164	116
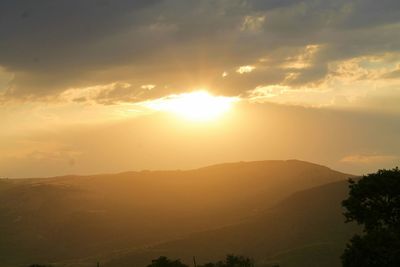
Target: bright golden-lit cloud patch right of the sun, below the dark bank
358	83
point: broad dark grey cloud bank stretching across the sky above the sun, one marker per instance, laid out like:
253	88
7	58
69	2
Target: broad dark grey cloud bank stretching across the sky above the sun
54	45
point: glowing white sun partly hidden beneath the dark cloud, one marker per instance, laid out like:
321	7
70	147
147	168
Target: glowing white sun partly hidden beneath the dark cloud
197	106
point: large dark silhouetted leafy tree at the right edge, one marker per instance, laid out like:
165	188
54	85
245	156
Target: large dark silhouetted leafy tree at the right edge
374	203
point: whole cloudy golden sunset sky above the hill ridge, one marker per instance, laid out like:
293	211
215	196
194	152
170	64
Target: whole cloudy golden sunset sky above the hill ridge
103	86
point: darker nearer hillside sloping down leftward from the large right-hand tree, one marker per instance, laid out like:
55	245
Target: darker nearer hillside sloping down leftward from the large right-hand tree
307	229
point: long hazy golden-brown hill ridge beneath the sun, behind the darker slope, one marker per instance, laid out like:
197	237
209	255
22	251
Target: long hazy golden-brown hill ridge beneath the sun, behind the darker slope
73	217
